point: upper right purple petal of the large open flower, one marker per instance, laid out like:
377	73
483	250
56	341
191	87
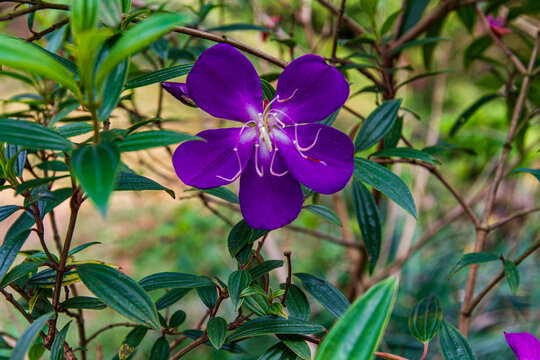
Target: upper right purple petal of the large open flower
313	88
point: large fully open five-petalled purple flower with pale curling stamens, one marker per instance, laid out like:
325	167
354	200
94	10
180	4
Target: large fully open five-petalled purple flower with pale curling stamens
280	144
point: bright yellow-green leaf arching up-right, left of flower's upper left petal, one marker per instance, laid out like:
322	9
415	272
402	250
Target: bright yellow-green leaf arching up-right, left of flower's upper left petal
137	38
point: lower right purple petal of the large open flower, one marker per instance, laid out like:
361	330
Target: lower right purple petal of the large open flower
328	164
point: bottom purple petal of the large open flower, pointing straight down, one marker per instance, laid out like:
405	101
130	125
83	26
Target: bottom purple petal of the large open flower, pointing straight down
268	202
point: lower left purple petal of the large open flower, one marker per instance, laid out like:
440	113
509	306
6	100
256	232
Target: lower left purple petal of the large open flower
214	162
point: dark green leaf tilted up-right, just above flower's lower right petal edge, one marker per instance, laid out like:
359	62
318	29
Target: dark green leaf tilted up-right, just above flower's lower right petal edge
377	125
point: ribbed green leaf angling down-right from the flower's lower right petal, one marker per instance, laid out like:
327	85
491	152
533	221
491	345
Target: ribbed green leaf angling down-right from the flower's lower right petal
386	182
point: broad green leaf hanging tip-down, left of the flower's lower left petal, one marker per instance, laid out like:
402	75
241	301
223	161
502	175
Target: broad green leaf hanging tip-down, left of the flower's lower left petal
96	167
